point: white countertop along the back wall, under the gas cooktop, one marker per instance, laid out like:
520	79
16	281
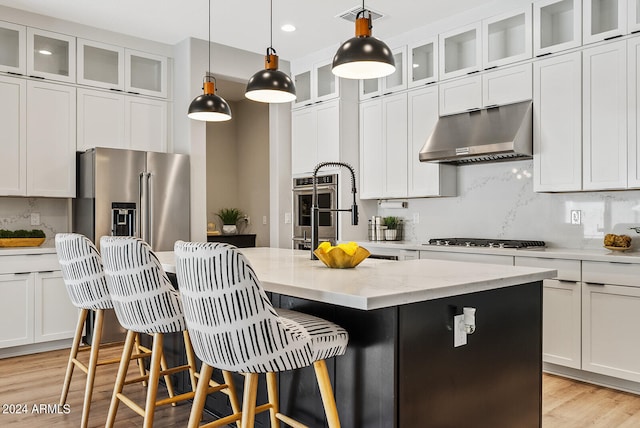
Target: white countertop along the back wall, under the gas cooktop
600	255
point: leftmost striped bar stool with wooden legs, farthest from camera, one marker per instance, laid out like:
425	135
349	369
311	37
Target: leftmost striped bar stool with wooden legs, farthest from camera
86	285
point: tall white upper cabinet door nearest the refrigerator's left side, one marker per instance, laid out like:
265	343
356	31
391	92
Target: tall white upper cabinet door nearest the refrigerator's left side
51	140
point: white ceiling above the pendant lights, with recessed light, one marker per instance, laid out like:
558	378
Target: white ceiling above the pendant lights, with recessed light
244	24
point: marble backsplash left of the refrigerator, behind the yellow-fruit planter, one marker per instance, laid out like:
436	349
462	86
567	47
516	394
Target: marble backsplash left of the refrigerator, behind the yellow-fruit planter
15	213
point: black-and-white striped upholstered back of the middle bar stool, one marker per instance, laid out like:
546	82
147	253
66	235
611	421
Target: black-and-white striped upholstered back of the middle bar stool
143	297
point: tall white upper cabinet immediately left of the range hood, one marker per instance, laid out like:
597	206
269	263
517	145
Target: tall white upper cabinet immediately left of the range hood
425	179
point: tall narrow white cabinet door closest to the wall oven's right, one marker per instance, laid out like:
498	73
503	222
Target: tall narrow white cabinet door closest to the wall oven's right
371	149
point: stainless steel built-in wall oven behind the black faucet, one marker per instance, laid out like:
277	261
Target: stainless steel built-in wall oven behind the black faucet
327	187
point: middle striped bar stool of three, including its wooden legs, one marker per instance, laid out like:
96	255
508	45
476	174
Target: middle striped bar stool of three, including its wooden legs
145	302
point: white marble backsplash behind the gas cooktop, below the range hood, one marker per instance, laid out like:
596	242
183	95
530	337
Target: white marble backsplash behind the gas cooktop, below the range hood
496	200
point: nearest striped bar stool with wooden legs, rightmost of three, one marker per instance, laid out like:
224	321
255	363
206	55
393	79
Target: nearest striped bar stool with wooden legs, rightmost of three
234	327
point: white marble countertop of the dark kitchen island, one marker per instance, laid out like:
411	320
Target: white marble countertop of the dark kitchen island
374	283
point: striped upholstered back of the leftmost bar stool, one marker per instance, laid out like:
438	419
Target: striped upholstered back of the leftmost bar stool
82	271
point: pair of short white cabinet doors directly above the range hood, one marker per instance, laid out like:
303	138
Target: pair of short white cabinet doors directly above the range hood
499	87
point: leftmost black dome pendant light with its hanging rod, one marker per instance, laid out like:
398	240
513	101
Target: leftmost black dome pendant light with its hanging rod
209	106
